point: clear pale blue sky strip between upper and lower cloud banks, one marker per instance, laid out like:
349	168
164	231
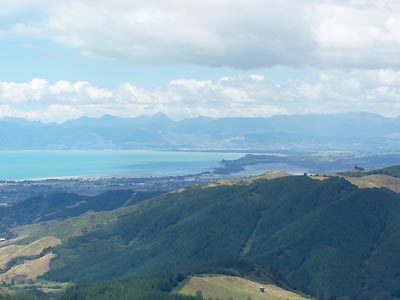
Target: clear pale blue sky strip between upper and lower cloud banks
24	59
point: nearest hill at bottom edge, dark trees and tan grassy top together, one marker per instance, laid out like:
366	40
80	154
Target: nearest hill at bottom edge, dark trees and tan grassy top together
180	286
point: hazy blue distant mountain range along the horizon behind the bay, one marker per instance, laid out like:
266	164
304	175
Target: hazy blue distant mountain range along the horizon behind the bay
349	131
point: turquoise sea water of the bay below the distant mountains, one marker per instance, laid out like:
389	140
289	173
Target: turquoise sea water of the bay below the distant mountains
17	165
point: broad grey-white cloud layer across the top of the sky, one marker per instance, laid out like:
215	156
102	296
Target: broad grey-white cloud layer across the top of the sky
238	33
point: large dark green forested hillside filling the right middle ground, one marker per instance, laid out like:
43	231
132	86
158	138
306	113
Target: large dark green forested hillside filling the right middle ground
325	238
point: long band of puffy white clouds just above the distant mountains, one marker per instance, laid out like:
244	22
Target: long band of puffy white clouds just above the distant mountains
242	96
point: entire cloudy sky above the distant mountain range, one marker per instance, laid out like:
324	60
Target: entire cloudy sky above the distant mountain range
65	59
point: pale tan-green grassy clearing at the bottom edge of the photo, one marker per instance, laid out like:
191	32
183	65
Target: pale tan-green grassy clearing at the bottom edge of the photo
226	287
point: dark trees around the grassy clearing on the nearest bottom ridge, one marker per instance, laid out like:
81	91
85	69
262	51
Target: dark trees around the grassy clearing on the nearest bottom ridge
168	286
